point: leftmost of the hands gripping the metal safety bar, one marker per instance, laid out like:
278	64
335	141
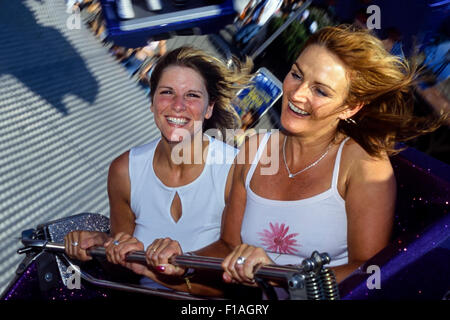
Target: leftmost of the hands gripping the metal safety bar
77	242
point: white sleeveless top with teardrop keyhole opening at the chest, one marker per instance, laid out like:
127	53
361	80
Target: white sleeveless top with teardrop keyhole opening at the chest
202	200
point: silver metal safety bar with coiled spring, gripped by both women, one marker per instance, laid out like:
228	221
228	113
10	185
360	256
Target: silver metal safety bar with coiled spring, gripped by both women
303	281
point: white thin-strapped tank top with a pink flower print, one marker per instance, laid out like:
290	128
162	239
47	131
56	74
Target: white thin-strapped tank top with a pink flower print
290	231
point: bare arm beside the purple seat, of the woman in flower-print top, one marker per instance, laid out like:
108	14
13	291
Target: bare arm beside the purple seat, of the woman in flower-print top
370	204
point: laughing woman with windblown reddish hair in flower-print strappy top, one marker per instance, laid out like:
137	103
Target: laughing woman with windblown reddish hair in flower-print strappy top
346	103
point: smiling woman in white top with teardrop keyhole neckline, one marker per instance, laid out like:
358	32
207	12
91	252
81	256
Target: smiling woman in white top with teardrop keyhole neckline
177	185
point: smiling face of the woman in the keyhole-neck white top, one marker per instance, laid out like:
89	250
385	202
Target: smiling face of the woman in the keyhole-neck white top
180	101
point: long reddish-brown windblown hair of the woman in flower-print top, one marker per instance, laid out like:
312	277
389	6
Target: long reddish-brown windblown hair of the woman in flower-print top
382	82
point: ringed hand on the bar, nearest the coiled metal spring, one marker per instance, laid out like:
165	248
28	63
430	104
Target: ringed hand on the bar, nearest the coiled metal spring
241	264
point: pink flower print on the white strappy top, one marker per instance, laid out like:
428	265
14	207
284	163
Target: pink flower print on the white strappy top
277	240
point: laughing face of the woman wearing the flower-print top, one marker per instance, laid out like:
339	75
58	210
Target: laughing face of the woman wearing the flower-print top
313	91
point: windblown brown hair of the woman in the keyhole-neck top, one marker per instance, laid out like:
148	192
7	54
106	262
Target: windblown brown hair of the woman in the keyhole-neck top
222	82
